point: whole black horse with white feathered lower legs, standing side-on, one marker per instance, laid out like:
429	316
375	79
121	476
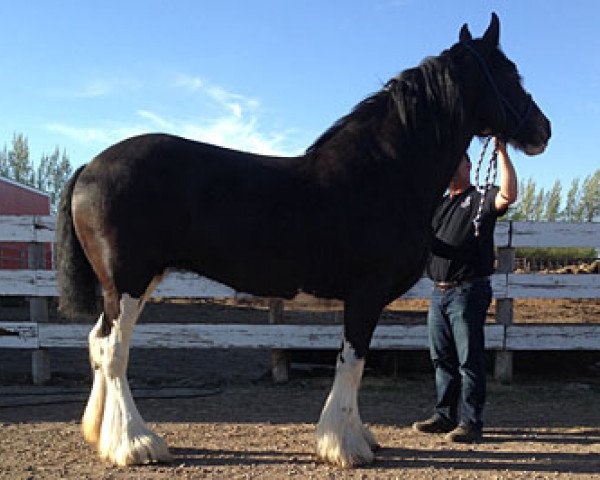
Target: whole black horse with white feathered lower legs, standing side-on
349	219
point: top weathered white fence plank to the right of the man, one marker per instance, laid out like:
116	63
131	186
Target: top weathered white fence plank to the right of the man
556	234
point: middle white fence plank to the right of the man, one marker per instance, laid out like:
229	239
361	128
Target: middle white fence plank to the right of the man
553	286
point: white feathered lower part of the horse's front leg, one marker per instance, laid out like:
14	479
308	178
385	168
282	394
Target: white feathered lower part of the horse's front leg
342	439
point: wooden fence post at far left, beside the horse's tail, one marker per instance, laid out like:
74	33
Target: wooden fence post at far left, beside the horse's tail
38	312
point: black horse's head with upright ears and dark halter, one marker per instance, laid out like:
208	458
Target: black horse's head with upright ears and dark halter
503	106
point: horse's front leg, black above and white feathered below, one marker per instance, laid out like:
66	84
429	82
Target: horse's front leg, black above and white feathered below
342	438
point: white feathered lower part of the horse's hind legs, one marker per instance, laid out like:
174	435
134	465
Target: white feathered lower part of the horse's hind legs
124	438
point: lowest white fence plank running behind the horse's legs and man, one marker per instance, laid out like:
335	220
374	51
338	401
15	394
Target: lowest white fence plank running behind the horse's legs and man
252	336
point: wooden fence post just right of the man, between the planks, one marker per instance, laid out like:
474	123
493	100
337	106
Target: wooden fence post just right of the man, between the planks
503	362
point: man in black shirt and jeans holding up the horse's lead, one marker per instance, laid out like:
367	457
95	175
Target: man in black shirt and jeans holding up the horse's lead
461	262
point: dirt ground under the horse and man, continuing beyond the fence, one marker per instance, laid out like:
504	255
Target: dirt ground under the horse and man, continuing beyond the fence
237	424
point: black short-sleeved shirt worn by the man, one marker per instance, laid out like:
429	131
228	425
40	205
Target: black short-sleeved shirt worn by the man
457	254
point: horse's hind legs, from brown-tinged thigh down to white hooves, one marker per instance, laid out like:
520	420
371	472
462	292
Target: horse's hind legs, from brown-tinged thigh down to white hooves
111	420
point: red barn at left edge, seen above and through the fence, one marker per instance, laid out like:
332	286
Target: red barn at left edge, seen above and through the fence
18	199
